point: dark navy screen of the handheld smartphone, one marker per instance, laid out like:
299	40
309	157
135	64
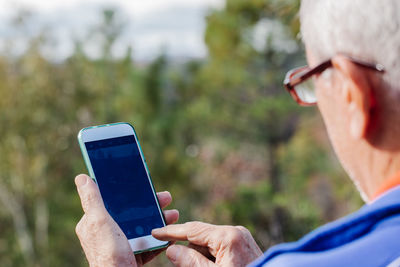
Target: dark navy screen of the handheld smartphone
124	186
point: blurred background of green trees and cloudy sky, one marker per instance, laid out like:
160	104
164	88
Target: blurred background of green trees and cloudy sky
200	80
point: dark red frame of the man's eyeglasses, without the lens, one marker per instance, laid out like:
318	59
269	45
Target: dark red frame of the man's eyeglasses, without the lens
290	81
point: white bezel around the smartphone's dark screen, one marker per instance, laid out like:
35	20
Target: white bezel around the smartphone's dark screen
140	244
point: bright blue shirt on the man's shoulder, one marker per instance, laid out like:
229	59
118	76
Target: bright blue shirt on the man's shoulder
368	237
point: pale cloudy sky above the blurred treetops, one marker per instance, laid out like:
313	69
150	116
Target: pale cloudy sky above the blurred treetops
173	26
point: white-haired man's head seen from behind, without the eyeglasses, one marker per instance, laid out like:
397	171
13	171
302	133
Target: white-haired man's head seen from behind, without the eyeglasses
360	107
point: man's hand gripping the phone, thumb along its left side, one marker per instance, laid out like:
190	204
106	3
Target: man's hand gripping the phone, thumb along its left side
102	240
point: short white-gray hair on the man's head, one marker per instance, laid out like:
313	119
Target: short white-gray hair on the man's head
365	29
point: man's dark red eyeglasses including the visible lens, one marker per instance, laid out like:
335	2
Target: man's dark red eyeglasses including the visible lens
301	87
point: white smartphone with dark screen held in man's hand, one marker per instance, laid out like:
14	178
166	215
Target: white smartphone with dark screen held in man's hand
115	161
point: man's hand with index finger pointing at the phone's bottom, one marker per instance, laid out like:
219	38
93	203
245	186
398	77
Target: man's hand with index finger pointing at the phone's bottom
210	245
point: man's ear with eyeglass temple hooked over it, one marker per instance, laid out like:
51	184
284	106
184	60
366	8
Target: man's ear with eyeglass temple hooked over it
356	89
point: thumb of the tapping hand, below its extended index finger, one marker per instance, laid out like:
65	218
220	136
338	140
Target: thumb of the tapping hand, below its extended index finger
182	256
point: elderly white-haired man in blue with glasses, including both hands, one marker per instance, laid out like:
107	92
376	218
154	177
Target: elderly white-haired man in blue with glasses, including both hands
348	43
